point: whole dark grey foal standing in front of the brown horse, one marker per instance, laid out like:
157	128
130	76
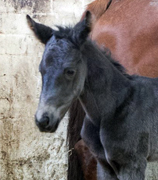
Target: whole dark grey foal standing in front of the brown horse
121	126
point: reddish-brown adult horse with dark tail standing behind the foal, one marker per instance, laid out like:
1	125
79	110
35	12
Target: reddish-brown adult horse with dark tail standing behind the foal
130	30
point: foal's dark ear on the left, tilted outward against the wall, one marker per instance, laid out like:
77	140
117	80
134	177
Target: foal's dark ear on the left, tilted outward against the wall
42	32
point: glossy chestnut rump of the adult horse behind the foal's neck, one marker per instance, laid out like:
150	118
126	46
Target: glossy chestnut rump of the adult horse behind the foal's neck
130	30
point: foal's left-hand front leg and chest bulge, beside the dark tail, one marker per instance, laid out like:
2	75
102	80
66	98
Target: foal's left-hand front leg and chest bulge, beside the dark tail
90	135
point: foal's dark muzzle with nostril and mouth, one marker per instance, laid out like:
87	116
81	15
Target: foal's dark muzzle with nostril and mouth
47	123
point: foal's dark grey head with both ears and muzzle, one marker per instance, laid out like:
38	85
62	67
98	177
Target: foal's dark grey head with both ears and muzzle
62	68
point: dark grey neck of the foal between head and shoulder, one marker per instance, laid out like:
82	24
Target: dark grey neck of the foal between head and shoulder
105	87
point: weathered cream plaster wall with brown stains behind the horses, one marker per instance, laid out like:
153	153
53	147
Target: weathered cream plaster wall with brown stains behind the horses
25	153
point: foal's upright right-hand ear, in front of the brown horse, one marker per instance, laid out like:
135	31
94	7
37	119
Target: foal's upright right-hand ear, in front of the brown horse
82	29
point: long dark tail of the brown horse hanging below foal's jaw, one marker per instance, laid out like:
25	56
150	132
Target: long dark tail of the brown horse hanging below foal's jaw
76	116
